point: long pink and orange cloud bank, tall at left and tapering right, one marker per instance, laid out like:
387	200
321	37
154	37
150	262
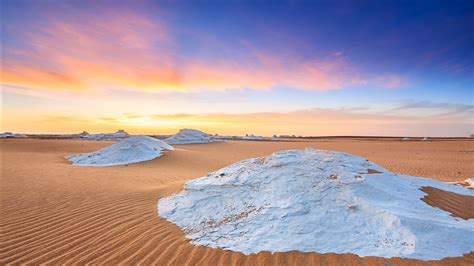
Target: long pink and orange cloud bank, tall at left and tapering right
124	49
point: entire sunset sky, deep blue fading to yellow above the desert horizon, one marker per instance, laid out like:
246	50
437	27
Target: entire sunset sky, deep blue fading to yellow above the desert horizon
313	68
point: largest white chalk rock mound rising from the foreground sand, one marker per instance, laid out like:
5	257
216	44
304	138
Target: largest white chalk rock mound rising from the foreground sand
317	201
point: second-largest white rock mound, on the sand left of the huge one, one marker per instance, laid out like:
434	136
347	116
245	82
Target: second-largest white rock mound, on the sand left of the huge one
130	150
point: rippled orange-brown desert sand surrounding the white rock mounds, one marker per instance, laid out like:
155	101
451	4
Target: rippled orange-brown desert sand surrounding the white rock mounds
55	212
